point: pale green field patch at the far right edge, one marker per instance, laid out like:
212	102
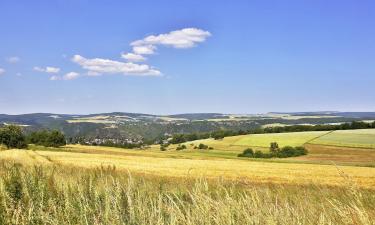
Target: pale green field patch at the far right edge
348	138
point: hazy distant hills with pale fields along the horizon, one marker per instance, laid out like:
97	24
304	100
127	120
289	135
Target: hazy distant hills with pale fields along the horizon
138	126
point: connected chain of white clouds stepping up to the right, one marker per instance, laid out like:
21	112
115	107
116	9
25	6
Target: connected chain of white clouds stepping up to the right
184	38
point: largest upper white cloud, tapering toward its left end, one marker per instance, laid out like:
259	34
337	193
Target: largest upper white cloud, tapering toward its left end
184	38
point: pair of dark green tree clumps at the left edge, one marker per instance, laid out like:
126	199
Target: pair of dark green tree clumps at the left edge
12	137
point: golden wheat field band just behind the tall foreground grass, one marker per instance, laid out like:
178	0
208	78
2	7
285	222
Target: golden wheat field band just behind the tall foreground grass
170	165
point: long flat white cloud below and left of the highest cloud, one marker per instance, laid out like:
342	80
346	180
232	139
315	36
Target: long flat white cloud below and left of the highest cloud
106	66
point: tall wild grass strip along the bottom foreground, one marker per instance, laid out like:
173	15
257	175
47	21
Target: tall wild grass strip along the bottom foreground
65	195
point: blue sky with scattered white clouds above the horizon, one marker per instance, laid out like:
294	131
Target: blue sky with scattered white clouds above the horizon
186	56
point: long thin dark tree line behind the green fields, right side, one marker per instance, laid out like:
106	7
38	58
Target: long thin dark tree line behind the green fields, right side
220	134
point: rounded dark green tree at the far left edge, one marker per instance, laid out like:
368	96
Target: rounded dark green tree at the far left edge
12	137
